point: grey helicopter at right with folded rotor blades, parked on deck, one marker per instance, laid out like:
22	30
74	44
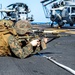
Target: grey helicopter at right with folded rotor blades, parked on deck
60	12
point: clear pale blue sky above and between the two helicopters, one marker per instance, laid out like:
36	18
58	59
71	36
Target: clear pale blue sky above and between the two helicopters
34	5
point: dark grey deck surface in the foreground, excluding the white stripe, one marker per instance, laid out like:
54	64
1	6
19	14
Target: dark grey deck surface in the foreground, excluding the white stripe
61	49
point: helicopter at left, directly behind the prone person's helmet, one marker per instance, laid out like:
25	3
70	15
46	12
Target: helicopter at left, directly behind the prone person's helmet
15	12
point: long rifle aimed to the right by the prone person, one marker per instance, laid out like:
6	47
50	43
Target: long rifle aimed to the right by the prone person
42	34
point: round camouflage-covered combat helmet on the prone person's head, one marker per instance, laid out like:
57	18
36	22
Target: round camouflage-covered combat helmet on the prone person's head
22	27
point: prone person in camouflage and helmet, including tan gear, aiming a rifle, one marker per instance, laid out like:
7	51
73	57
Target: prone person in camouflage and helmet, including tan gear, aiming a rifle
19	43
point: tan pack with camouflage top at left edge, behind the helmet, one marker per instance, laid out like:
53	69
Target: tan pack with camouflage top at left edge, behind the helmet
5	31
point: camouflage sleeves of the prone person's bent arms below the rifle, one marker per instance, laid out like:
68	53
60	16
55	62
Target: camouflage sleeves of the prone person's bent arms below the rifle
23	52
